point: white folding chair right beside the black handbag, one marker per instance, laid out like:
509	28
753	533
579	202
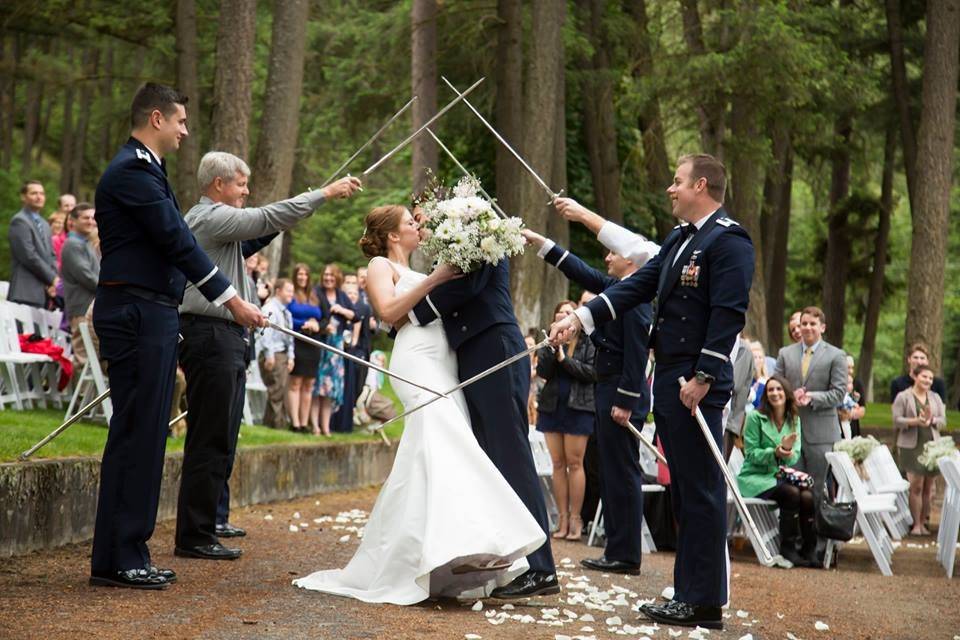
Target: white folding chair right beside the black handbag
869	510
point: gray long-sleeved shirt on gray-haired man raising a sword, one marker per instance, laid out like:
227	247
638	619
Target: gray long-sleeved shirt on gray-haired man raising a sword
220	228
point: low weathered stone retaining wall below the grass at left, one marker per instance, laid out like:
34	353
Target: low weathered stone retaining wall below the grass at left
50	503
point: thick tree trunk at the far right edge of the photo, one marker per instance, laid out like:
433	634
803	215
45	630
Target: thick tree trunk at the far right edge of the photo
935	141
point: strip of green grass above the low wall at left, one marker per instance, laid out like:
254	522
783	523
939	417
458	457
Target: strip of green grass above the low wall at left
20	430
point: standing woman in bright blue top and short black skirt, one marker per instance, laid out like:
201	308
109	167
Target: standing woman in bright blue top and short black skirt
310	321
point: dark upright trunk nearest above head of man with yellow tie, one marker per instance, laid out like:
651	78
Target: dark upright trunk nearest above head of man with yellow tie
837	261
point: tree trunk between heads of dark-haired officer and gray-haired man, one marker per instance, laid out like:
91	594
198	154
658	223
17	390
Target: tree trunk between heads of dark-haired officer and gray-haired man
188	83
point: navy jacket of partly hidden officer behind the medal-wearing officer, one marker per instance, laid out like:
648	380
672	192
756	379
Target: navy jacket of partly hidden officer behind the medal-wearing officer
622	343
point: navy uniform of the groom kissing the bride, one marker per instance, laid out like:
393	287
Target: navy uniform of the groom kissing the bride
480	324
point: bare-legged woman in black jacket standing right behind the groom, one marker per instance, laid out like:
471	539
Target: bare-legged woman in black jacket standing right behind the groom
566	417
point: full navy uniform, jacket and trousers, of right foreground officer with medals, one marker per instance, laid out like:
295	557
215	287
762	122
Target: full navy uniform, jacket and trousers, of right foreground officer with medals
701	305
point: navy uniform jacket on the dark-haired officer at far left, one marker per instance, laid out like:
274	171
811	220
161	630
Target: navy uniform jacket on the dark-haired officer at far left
143	238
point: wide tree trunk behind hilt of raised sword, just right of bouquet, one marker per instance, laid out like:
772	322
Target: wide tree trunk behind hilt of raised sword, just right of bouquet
544	103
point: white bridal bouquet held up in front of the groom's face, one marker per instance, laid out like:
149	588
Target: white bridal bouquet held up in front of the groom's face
465	231
